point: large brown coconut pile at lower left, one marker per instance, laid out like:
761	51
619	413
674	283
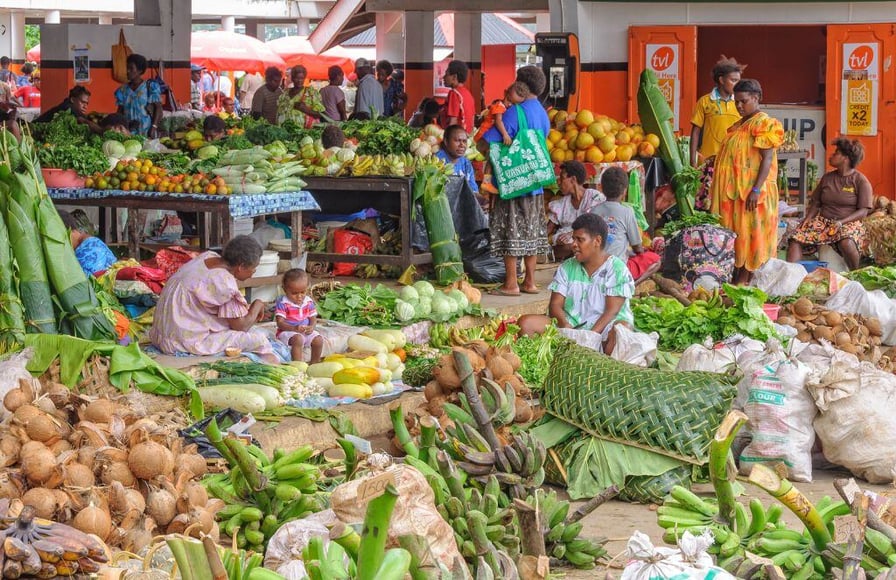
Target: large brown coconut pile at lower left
94	464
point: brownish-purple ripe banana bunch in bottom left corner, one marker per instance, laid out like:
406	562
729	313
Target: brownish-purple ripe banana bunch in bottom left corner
43	548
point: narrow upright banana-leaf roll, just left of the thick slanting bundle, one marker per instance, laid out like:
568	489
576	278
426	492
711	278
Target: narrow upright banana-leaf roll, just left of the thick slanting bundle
34	290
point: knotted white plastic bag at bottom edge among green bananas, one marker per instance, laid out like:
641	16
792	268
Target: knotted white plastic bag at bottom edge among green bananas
687	562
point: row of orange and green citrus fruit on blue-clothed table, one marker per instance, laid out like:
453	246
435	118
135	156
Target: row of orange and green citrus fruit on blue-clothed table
142	175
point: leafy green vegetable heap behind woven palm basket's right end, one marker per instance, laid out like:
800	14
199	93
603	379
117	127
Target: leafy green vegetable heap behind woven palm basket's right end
681	326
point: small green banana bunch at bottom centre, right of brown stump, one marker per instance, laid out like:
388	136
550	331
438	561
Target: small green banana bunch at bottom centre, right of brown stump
562	539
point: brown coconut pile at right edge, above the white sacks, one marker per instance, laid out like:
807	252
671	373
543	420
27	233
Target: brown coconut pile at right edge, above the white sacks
852	333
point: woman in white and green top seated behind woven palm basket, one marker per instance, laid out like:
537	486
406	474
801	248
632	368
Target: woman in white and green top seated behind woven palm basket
590	291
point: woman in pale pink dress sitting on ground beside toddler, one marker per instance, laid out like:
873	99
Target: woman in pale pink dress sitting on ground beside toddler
201	310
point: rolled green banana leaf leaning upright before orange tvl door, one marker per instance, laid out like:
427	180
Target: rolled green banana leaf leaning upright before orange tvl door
656	117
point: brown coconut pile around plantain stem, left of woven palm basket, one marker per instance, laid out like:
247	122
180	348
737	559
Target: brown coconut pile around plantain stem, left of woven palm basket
496	364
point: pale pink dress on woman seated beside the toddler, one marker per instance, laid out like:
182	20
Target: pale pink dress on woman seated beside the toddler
193	310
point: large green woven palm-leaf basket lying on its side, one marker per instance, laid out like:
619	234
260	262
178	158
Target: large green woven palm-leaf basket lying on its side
671	413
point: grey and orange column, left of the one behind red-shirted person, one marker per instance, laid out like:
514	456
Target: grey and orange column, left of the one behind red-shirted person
418	65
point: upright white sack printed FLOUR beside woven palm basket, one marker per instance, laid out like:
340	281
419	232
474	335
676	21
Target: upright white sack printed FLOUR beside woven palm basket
781	412
